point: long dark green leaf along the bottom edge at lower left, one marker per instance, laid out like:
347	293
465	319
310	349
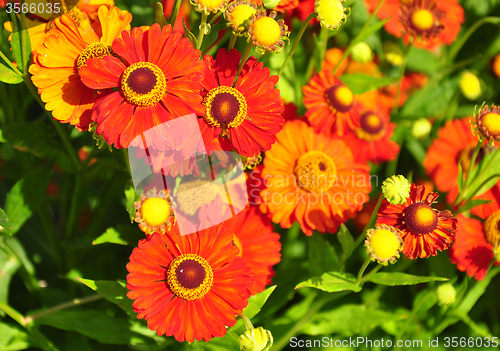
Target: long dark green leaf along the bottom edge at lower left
96	325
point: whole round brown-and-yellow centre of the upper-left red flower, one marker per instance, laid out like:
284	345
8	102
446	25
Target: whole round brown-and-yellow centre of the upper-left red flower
143	84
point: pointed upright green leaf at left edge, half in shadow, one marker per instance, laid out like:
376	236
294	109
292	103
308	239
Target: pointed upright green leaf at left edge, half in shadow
26	195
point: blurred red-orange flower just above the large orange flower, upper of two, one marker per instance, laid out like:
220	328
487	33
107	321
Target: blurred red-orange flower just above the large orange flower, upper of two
331	106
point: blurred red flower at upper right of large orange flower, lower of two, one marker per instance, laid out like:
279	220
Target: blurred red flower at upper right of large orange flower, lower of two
371	141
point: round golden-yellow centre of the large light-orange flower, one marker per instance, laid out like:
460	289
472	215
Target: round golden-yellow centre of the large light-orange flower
315	172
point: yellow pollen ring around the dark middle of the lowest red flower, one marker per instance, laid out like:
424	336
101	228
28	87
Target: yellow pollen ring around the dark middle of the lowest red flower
176	285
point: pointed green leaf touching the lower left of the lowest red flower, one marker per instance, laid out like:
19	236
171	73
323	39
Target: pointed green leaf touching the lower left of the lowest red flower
113	291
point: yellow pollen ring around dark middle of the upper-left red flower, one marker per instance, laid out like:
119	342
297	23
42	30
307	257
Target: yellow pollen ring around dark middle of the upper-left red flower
150	97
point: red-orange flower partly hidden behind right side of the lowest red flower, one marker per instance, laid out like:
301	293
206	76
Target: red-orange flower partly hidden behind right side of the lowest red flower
258	244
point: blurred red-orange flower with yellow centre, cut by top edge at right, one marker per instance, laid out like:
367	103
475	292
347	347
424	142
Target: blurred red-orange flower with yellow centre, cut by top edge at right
431	22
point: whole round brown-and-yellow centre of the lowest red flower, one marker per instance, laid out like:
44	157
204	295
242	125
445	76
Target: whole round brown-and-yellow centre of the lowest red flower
190	277
